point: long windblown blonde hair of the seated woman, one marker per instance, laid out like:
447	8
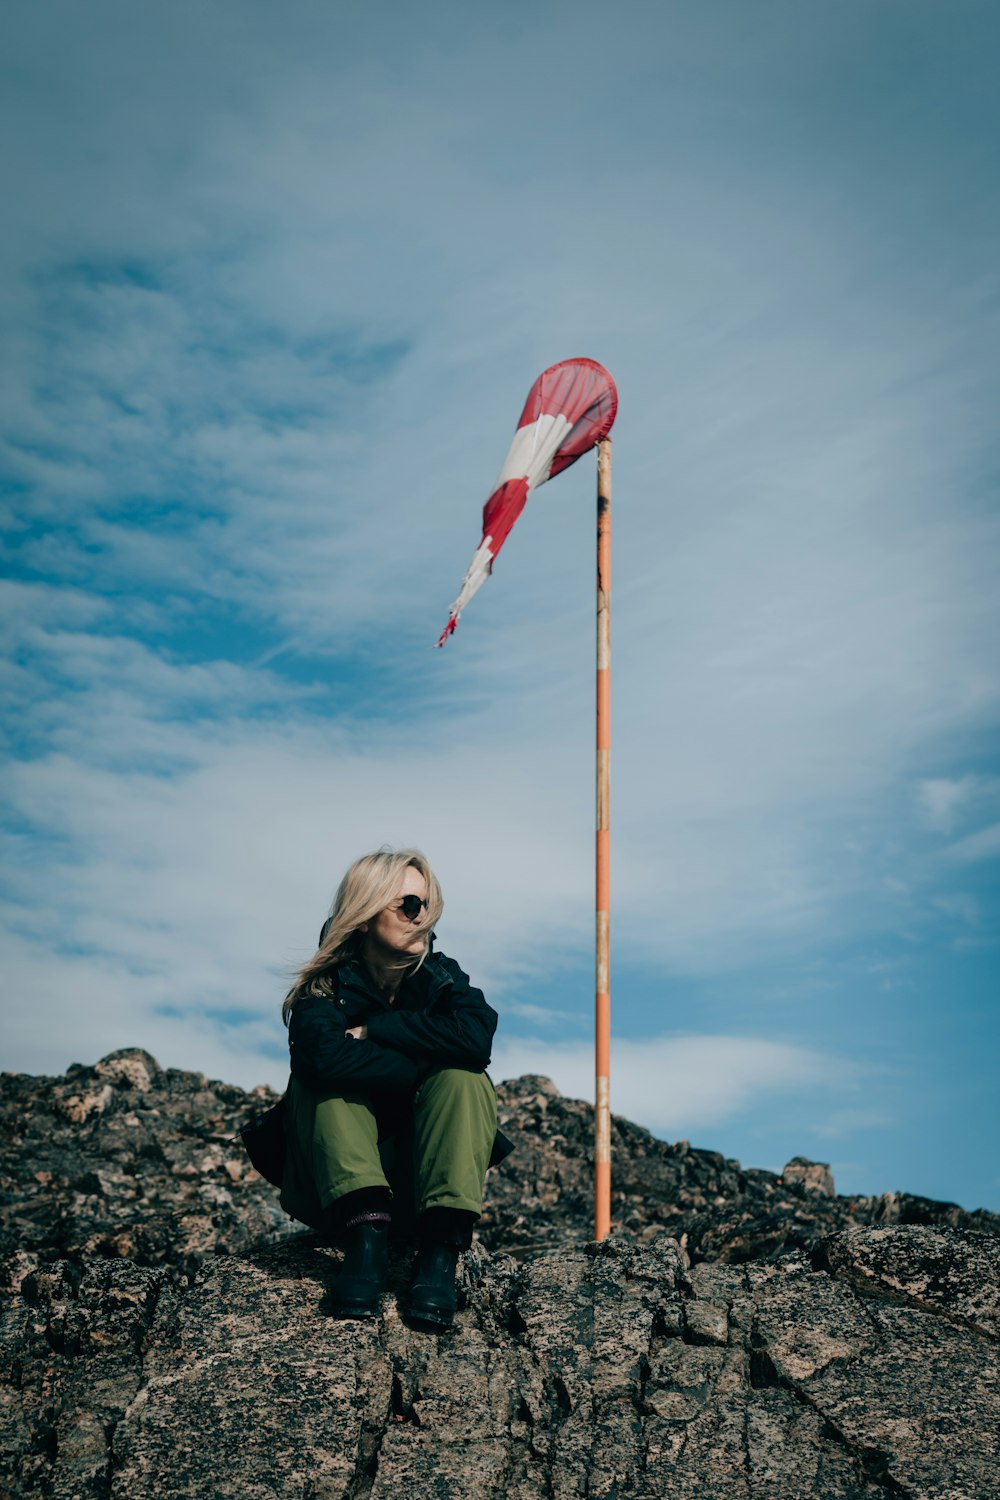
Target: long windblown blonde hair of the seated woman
368	889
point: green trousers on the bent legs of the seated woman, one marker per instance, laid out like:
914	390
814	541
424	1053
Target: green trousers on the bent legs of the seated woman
334	1144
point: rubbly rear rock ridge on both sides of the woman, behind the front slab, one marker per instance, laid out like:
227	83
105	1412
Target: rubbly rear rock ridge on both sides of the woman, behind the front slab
131	1160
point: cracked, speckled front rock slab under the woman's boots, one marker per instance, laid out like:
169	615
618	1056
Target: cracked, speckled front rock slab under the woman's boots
605	1372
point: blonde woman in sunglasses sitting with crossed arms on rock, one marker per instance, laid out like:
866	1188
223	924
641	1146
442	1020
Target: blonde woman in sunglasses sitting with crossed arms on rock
389	1046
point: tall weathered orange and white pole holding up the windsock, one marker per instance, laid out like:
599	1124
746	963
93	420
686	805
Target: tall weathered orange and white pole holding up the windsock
602	968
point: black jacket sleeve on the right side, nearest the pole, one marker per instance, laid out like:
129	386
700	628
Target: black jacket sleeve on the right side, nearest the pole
460	1034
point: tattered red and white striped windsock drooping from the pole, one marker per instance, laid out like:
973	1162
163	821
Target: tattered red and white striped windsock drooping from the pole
569	410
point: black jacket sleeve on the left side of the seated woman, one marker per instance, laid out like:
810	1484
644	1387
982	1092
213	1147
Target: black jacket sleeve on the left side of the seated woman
325	1058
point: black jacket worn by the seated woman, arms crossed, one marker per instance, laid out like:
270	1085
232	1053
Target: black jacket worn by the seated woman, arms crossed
439	1021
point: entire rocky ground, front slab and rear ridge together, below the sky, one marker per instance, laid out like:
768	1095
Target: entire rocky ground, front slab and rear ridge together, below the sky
743	1337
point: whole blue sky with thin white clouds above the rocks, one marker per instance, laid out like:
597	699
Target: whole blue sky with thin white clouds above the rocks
274	286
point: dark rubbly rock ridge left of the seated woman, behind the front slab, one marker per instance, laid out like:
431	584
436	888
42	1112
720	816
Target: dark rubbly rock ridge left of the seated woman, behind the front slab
128	1160
